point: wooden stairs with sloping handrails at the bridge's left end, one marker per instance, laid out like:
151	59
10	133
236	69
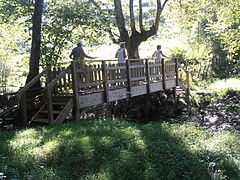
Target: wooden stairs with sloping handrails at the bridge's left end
50	104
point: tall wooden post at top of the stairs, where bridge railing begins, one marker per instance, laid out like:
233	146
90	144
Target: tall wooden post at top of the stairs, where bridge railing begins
76	107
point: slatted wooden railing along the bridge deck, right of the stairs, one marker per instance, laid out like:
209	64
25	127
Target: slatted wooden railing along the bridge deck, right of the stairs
108	74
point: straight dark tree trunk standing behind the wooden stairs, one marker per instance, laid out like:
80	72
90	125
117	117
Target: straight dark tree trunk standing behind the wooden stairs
36	41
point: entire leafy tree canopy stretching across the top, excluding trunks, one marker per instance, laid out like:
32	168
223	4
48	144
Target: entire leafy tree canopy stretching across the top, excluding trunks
210	27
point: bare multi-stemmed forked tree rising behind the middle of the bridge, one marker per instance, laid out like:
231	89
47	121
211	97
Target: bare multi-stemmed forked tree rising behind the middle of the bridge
135	36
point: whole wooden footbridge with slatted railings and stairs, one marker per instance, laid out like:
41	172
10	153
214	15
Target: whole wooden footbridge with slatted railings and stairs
69	88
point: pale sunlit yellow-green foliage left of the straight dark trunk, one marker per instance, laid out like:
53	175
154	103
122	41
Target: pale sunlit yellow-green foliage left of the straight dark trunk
13	49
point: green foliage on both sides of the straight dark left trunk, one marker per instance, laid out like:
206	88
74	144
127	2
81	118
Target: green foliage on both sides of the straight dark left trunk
63	23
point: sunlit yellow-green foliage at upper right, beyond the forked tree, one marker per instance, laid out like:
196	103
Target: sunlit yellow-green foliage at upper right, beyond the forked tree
211	29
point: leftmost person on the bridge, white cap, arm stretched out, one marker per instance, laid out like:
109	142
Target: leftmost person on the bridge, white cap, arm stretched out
78	54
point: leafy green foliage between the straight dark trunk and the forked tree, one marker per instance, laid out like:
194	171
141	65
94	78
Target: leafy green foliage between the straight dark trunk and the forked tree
67	21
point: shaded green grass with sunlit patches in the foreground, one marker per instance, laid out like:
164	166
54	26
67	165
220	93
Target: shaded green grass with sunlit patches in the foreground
116	149
